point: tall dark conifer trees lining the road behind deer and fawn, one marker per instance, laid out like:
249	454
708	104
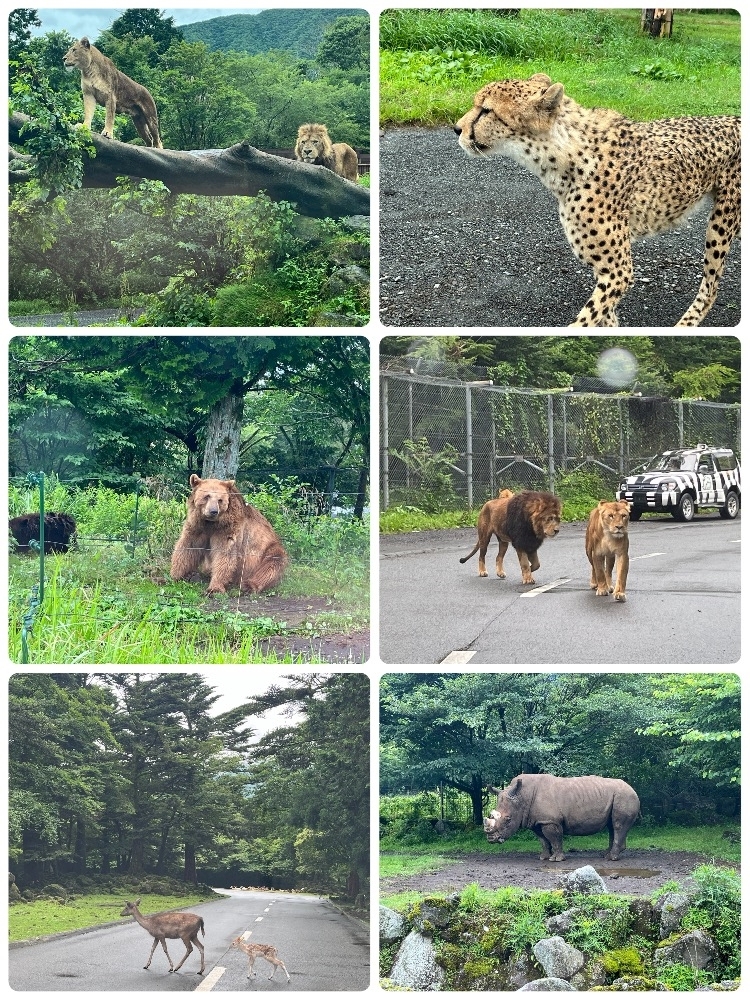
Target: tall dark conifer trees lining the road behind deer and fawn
137	774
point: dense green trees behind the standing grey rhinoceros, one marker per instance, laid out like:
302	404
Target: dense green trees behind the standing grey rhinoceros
674	737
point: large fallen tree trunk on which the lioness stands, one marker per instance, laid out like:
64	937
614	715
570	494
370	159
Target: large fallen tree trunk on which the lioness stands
239	170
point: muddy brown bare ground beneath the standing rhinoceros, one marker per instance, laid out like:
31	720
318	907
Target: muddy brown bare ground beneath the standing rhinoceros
637	873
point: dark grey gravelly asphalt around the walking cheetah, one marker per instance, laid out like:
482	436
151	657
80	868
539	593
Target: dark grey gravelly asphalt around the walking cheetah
473	241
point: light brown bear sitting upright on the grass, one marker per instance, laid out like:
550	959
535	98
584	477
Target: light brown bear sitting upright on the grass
227	540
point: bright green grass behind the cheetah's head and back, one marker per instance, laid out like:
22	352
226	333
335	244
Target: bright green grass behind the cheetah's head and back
432	62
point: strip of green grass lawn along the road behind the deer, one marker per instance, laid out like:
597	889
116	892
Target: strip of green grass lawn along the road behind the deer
30	920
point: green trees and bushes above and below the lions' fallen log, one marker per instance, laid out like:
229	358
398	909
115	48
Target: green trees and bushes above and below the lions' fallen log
205	99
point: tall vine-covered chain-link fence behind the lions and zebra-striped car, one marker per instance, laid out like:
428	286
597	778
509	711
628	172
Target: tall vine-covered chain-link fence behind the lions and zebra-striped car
470	439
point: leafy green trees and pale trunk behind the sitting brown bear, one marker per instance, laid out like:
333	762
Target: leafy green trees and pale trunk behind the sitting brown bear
107	408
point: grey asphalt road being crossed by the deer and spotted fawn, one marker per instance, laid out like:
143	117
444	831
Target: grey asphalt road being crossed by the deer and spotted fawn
321	948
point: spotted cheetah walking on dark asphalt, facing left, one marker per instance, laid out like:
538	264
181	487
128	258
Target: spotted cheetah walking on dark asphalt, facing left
614	179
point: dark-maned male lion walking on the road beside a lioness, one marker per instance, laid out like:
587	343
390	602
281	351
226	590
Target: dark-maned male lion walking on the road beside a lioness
522	520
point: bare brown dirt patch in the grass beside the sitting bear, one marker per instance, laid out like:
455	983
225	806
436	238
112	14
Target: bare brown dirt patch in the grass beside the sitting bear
292	614
